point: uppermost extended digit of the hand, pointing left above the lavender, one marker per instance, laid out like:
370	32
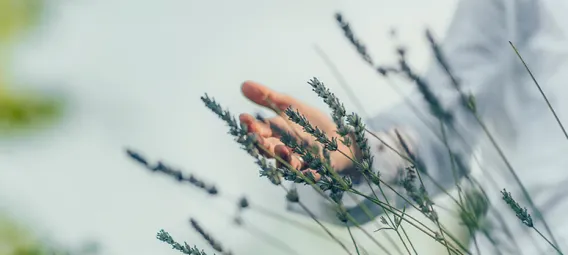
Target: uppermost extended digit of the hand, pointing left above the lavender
267	97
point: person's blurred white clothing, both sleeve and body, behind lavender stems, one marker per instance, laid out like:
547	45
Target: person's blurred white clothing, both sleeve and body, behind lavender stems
478	51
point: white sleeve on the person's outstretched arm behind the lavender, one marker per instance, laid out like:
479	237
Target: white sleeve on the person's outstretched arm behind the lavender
475	46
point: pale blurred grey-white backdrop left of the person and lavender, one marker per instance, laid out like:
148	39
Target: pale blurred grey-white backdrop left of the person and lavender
129	73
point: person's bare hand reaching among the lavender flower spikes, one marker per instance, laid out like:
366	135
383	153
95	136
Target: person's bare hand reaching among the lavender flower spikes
269	137
